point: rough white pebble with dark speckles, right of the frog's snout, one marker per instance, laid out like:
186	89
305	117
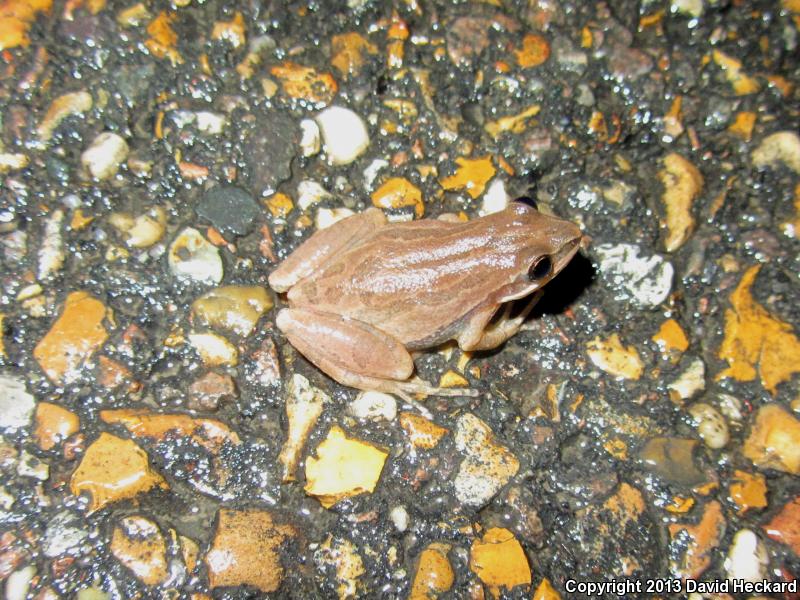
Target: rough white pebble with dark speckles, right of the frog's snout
645	280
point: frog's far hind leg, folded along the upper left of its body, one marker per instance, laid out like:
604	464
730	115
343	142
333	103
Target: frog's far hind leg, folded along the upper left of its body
316	250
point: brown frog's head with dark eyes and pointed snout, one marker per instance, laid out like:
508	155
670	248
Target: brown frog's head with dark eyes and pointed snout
544	245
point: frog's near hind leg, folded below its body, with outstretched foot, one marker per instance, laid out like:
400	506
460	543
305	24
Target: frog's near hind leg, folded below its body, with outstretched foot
354	353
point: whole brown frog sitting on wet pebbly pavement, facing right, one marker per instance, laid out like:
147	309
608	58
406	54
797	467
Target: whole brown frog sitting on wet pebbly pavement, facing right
366	295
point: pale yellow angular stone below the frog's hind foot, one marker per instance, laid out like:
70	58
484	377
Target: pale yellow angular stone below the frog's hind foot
344	467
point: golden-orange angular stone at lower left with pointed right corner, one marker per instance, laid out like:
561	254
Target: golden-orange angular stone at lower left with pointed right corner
113	469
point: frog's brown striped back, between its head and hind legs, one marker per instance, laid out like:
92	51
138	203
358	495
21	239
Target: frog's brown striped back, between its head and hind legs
417	281
